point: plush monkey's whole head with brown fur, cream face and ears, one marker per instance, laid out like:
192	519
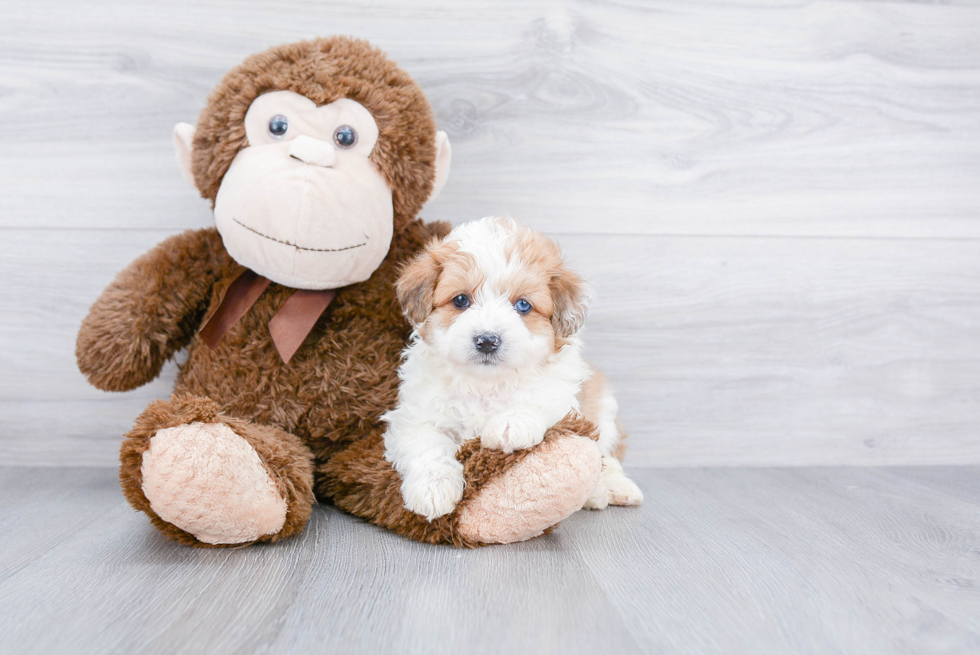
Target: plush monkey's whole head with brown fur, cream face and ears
314	154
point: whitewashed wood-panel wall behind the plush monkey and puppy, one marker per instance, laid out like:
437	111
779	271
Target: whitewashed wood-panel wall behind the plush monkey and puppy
778	202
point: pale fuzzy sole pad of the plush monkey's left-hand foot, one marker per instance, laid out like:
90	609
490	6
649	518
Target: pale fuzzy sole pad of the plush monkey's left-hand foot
210	482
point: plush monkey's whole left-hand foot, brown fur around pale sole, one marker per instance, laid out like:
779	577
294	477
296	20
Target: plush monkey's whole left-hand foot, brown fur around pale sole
211	480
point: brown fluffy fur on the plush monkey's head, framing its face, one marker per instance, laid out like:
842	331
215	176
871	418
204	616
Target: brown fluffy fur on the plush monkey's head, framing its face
325	70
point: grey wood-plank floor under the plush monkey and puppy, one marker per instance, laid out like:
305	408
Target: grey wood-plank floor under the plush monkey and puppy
808	560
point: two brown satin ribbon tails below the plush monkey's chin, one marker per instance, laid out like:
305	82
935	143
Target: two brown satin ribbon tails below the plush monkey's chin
289	327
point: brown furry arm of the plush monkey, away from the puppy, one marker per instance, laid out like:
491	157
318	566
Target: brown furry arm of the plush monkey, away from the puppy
152	309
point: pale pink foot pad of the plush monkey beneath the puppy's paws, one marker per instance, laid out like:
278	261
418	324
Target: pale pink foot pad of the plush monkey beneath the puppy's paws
546	487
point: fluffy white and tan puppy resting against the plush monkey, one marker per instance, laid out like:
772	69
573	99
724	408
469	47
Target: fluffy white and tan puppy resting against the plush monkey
495	355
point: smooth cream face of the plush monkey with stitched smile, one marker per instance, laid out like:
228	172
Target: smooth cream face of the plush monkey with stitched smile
303	204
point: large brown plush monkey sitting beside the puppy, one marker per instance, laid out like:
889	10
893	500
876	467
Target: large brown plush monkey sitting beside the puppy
317	157
